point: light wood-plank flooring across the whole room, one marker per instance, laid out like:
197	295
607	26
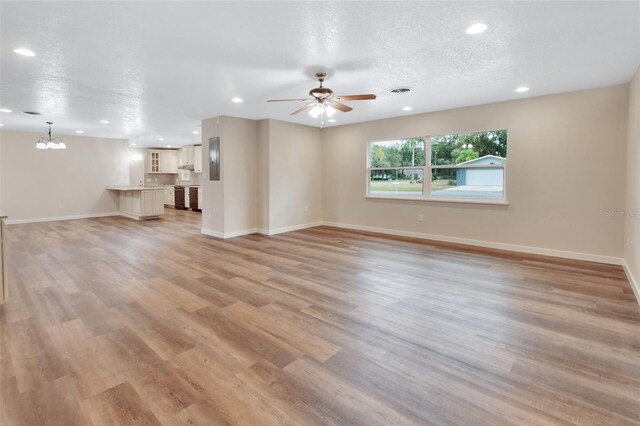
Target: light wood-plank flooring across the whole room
112	321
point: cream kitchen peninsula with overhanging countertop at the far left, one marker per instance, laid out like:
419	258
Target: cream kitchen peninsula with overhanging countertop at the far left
140	202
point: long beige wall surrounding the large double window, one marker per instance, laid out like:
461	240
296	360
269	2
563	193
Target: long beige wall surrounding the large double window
566	156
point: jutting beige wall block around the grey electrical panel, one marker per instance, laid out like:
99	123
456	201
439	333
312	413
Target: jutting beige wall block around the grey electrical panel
271	177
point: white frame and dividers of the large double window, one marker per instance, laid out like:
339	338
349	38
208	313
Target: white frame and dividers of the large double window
427	173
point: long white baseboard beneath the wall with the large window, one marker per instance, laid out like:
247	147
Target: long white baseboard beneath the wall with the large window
486	244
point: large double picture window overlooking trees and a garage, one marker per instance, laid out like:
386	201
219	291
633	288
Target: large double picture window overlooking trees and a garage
455	167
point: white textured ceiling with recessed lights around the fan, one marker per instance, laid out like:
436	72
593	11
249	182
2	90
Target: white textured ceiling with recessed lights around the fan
156	69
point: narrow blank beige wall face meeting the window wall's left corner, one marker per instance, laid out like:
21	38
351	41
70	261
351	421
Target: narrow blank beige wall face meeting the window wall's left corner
295	175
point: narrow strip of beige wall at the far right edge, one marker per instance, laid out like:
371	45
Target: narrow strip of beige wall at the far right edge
632	234
